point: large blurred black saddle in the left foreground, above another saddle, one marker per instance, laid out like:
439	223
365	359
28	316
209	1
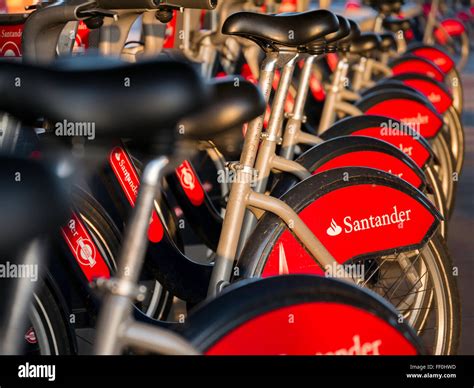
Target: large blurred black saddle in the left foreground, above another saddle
145	99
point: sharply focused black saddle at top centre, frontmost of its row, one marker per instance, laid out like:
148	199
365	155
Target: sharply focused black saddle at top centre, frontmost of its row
288	30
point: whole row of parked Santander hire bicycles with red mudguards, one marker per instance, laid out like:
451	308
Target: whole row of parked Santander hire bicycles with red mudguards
325	236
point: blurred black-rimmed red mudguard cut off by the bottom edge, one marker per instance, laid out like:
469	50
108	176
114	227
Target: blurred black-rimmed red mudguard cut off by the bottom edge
299	315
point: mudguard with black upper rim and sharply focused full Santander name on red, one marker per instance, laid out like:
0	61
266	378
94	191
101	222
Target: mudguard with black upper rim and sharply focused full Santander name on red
360	217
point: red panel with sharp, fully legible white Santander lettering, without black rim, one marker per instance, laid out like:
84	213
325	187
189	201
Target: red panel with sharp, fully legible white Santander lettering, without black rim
385	219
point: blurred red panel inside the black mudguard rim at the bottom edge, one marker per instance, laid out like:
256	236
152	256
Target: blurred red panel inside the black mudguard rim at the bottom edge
317	328
